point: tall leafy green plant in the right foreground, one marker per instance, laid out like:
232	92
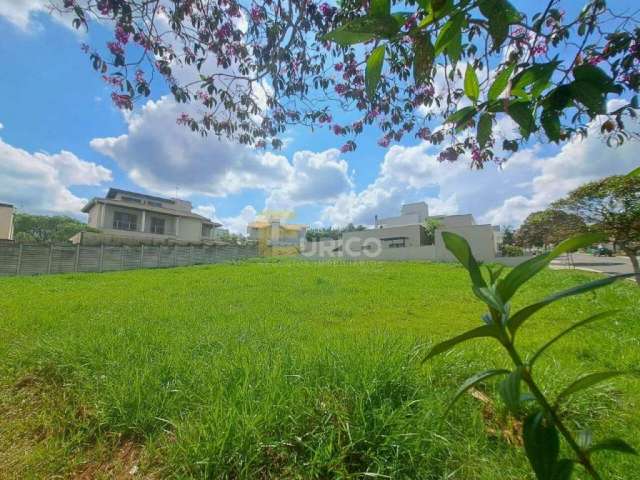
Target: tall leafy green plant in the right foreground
544	425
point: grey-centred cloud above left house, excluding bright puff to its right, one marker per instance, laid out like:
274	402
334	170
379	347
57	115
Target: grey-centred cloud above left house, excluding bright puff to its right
159	155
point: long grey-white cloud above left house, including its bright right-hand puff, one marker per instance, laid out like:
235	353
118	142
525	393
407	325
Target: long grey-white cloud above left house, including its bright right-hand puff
158	154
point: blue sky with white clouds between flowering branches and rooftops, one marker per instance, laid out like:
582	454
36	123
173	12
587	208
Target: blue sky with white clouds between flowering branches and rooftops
63	142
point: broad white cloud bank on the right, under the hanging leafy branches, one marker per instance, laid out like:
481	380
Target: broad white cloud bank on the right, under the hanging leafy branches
529	181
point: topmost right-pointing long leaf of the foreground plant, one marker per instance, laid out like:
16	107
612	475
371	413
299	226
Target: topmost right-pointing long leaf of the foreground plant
526	270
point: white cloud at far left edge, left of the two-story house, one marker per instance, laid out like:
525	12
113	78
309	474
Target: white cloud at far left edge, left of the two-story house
39	182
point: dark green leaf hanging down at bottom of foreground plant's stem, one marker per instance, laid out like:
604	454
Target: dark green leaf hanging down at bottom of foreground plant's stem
541	444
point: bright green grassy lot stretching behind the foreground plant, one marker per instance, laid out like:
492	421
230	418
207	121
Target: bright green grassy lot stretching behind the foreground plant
287	370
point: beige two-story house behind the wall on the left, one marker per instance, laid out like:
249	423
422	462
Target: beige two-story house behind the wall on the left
140	217
